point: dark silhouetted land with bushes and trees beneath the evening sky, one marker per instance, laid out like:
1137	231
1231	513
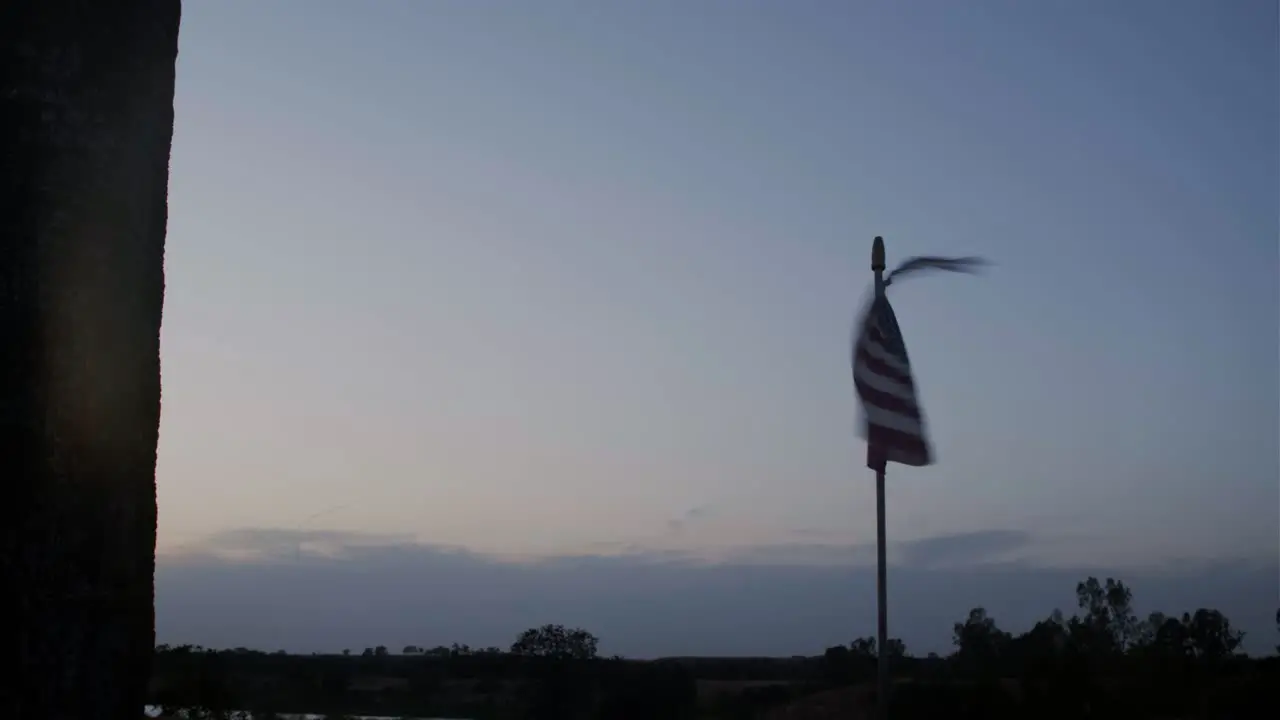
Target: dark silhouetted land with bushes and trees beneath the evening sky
1100	662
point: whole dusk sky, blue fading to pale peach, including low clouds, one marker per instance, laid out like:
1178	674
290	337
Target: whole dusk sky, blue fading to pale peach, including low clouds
487	315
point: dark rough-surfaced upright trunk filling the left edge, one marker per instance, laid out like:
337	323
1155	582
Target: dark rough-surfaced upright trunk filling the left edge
86	121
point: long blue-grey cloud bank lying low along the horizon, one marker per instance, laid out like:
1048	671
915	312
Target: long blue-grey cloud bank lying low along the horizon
359	591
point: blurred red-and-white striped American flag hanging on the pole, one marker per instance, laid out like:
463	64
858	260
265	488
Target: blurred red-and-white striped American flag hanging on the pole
894	425
